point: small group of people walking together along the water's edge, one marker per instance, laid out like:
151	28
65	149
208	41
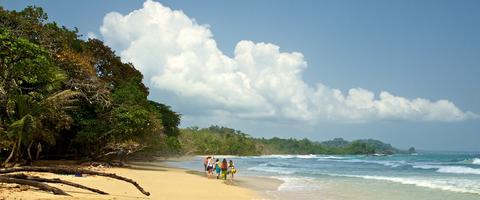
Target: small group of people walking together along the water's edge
220	169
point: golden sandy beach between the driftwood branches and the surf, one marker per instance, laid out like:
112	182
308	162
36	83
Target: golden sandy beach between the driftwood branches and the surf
163	182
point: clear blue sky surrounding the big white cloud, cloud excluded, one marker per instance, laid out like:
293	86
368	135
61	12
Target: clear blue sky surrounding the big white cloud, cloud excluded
411	49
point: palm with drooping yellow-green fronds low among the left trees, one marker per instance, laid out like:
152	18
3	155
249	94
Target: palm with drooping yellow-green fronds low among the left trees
38	120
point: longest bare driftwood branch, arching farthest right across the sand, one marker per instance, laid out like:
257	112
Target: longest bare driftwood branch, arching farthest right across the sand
65	170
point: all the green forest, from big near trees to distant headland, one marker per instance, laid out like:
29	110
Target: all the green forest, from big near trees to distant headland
63	97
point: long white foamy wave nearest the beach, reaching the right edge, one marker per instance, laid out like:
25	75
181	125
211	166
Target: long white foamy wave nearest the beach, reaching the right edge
457	185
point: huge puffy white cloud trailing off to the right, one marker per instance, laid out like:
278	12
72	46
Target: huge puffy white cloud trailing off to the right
178	55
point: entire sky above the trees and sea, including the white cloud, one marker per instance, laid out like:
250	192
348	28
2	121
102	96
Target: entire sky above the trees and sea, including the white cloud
405	72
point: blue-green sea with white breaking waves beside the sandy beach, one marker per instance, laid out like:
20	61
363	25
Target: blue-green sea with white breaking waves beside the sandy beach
425	175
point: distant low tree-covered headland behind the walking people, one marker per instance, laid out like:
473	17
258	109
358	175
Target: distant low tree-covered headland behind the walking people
227	141
